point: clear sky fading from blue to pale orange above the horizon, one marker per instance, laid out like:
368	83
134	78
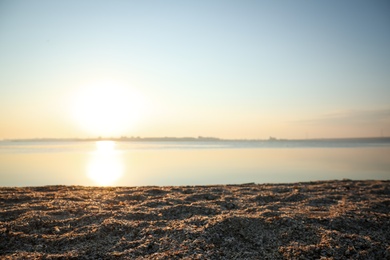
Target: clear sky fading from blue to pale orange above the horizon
228	69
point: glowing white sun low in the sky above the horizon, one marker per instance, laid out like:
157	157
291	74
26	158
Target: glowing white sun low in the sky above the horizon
106	108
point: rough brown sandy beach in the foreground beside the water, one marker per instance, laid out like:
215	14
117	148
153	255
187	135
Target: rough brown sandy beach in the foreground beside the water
328	220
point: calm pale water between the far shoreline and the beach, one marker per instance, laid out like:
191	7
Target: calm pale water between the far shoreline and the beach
190	163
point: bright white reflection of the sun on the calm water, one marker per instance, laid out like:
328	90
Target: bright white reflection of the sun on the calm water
105	166
